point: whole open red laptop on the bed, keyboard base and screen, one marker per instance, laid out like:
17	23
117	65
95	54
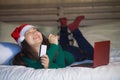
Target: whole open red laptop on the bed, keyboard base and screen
101	55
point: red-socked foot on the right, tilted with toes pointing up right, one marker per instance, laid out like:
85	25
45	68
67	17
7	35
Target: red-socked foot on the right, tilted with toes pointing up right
76	23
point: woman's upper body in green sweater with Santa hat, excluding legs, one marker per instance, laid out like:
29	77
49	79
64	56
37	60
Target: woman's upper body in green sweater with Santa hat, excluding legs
30	40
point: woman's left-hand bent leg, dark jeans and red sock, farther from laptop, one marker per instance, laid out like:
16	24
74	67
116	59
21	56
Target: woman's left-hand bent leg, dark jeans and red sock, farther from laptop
64	41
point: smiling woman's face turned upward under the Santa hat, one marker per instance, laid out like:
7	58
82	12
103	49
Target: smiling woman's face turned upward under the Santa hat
33	37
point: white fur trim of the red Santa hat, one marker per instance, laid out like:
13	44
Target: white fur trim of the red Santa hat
22	37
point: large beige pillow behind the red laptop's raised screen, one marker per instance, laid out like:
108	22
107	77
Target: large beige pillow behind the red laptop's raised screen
108	31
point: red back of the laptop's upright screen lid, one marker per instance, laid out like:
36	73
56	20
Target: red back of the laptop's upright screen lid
101	53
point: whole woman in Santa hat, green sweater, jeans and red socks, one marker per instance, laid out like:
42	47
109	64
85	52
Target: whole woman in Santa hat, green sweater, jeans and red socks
30	40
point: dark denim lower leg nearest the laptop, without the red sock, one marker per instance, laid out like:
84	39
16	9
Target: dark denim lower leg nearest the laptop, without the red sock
83	43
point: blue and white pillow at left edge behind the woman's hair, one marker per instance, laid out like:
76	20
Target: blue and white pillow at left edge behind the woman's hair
7	52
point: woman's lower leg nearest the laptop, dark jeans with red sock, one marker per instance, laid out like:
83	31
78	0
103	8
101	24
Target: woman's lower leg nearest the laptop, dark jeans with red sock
82	42
